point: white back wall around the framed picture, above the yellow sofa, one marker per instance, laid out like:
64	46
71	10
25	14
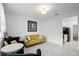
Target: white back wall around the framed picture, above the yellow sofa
17	25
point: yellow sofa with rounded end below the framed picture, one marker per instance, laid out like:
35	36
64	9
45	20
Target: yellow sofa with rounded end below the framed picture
34	39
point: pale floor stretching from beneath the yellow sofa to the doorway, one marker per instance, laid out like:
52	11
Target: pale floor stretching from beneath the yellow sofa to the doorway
50	49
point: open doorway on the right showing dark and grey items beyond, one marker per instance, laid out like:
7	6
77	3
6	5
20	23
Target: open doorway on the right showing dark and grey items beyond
70	32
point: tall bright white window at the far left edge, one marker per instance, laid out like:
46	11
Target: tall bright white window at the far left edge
2	22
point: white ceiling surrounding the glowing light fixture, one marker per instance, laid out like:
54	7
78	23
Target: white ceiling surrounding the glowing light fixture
31	9
